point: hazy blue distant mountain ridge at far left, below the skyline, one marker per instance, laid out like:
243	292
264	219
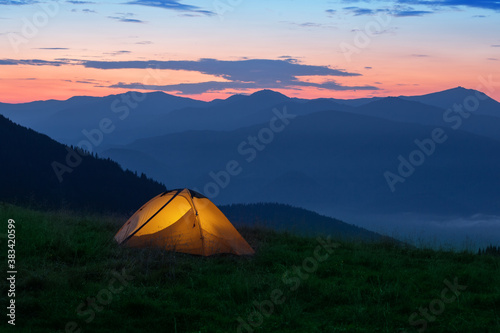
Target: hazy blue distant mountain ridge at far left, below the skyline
65	121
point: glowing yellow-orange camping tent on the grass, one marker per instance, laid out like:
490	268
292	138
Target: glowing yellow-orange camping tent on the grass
185	221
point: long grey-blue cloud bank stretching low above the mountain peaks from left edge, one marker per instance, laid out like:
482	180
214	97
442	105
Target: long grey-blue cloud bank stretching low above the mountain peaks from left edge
238	74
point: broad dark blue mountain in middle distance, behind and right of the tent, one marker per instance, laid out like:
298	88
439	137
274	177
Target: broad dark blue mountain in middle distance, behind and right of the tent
333	159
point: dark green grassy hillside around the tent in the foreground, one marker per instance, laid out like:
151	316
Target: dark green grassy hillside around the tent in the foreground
68	266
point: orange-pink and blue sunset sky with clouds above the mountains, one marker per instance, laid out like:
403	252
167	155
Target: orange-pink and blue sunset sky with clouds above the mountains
207	49
